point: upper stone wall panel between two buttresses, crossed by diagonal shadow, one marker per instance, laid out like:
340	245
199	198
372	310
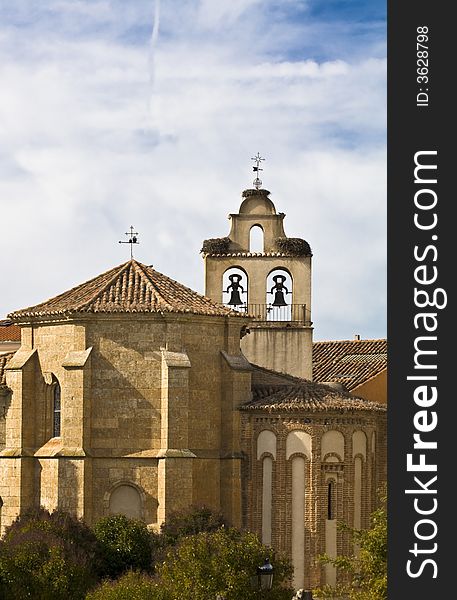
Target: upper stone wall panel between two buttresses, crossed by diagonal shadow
125	385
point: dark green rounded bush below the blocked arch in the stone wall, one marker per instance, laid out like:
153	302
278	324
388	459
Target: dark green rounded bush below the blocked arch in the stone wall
125	544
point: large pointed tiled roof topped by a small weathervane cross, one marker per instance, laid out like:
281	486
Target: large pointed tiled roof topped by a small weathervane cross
131	287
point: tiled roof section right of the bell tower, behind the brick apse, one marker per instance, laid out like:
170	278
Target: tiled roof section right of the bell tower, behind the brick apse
350	362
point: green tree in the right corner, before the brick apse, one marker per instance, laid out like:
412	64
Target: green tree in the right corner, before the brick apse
367	571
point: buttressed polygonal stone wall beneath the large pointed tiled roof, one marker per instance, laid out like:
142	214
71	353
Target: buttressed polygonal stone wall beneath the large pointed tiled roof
143	405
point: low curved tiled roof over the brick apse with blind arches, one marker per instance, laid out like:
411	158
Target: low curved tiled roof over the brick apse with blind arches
306	395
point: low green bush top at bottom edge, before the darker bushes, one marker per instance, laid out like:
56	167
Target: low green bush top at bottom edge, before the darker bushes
131	586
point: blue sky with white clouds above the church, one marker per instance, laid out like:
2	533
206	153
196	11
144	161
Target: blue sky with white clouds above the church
143	113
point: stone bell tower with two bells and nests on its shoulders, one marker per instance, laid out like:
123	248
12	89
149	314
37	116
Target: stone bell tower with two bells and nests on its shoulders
271	282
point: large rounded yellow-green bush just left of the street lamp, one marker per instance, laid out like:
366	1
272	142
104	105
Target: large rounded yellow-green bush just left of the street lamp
222	562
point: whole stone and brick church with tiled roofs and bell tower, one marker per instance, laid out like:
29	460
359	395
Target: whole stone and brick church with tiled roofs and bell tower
133	394
